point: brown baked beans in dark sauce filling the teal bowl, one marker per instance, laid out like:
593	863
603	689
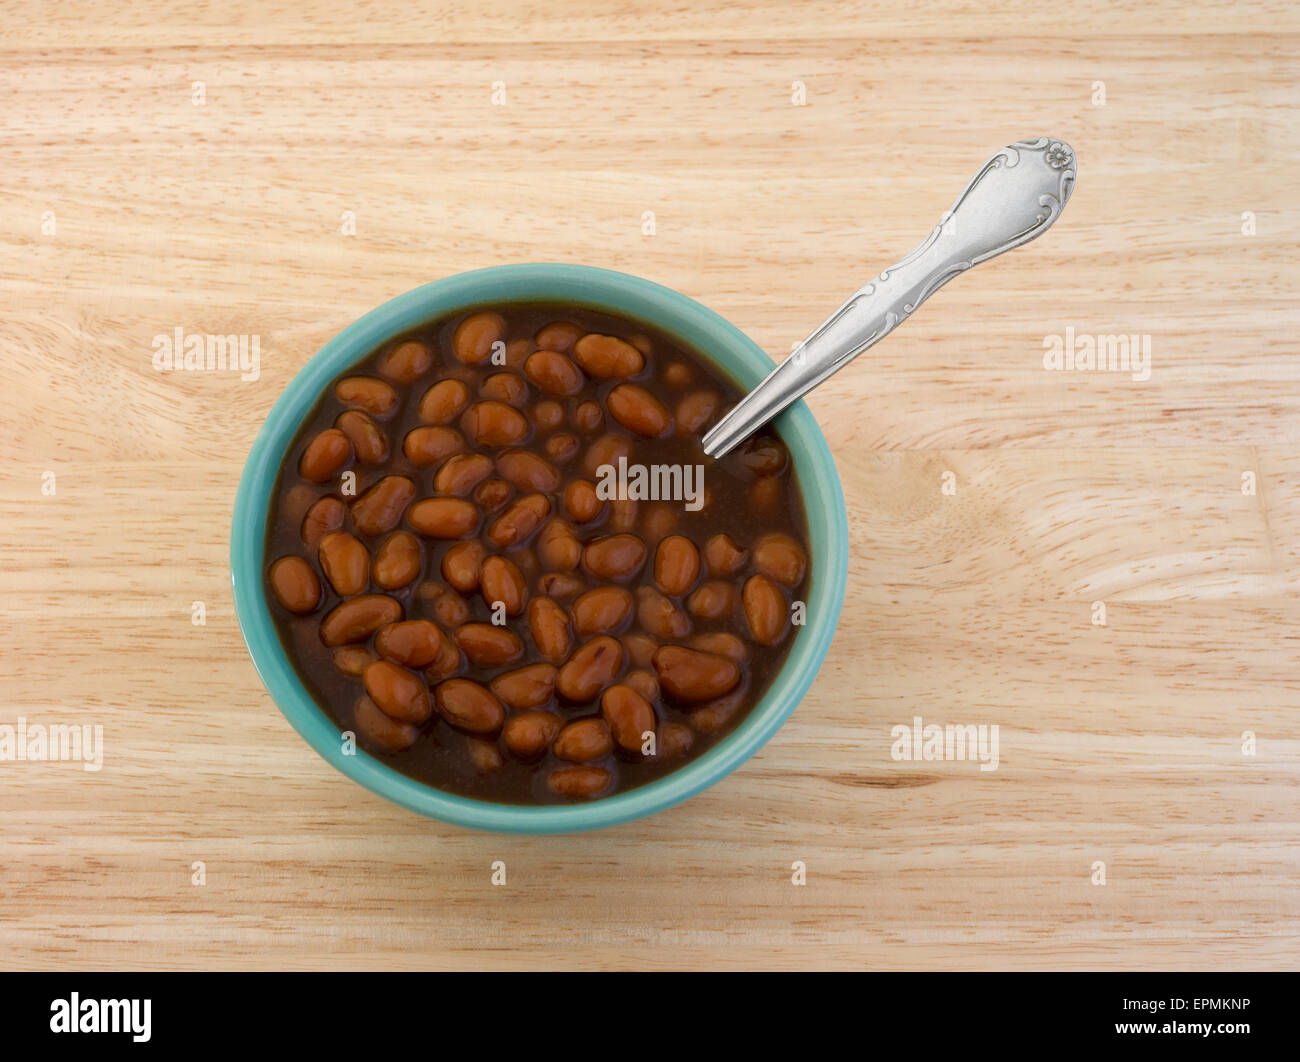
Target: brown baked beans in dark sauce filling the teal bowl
482	610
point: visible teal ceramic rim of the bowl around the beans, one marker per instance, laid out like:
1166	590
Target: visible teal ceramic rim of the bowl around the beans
684	319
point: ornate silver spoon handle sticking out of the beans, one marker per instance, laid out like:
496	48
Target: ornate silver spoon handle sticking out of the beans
1013	198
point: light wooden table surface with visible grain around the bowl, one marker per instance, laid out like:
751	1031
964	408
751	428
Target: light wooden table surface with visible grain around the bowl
137	201
